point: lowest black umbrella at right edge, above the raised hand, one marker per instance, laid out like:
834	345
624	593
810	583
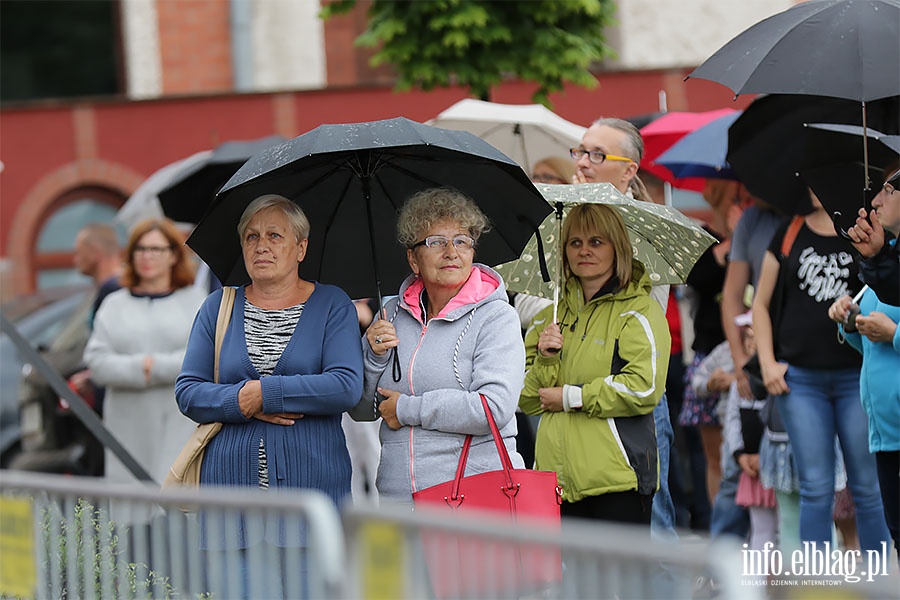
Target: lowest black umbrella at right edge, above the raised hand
833	167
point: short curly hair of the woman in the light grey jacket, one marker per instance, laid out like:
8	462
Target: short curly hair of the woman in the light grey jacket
427	207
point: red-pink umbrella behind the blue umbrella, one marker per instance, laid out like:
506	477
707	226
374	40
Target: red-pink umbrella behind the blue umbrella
662	133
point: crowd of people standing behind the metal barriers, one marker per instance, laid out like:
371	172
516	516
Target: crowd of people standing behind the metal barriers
596	395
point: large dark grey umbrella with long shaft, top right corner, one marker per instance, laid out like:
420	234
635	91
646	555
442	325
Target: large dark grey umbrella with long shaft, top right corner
838	48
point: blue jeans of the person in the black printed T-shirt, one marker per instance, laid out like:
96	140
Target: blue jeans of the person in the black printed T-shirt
822	403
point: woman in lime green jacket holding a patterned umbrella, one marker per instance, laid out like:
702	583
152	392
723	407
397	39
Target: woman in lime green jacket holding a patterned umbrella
596	376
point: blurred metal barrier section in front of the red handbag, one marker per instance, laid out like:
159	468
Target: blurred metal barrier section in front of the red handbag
398	553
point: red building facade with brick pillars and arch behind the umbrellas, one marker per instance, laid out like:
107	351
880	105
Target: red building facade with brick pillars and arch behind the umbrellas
50	150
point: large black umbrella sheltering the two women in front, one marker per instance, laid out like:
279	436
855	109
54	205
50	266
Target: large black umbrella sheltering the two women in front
351	180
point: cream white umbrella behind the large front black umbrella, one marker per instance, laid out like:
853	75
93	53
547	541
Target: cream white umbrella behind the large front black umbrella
524	132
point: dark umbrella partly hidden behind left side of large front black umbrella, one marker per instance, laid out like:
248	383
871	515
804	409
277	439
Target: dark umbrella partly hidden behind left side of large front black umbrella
192	190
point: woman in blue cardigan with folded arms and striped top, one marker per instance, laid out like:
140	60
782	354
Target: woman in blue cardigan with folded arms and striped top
290	365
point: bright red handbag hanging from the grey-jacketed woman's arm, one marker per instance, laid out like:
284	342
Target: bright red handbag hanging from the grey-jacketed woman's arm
460	566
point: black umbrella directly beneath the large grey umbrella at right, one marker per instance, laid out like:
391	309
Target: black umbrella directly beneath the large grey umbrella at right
766	144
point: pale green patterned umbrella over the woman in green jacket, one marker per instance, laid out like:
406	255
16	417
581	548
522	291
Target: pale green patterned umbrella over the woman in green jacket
665	241
